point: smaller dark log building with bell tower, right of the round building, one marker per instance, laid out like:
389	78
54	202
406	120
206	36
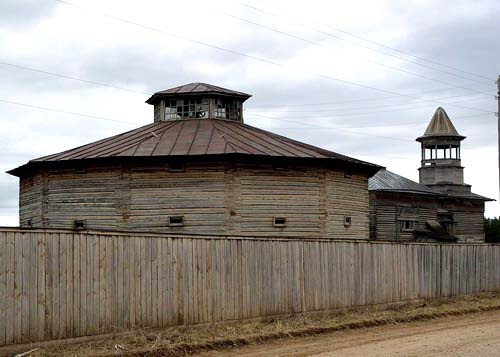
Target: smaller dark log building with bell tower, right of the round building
441	207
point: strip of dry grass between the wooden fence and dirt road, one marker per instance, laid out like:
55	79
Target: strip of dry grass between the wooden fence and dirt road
191	339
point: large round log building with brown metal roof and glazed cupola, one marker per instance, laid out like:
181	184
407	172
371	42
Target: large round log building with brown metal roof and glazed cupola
198	169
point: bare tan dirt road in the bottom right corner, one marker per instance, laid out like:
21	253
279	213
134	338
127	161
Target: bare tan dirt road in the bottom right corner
469	335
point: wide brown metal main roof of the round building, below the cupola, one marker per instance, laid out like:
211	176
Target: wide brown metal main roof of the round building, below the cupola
196	137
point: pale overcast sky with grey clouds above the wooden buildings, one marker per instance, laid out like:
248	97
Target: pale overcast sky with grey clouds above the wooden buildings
361	78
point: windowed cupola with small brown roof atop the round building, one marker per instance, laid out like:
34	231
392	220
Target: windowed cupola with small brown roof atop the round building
198	101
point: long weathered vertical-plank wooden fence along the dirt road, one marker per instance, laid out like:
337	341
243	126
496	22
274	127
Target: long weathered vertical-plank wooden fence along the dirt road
57	284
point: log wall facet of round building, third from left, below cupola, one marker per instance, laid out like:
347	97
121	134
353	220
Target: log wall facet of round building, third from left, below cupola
198	194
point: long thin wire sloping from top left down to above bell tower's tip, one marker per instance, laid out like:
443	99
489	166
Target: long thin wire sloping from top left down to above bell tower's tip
170	34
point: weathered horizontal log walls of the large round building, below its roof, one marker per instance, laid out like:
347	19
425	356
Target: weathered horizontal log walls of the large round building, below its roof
213	197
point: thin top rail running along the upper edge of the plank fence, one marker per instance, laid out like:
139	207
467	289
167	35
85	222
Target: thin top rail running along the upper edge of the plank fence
113	233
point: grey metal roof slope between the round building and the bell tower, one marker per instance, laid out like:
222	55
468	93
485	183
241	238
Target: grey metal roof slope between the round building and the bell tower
385	180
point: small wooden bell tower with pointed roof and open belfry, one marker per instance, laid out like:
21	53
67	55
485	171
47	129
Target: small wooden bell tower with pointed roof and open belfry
441	167
